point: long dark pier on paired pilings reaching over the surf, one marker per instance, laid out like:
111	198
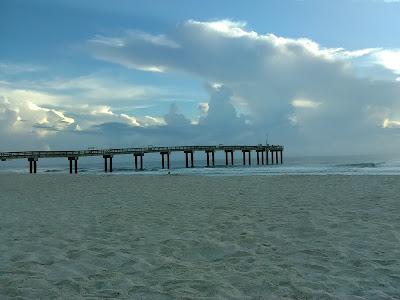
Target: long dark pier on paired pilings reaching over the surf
33	156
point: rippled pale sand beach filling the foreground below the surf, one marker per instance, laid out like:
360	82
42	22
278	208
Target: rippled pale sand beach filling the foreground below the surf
145	237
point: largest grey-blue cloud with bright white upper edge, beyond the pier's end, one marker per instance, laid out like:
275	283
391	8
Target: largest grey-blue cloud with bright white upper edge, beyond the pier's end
294	88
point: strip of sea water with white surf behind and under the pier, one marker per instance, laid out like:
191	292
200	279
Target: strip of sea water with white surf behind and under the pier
292	165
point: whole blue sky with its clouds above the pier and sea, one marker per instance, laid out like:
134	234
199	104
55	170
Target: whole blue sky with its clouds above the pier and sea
319	77
